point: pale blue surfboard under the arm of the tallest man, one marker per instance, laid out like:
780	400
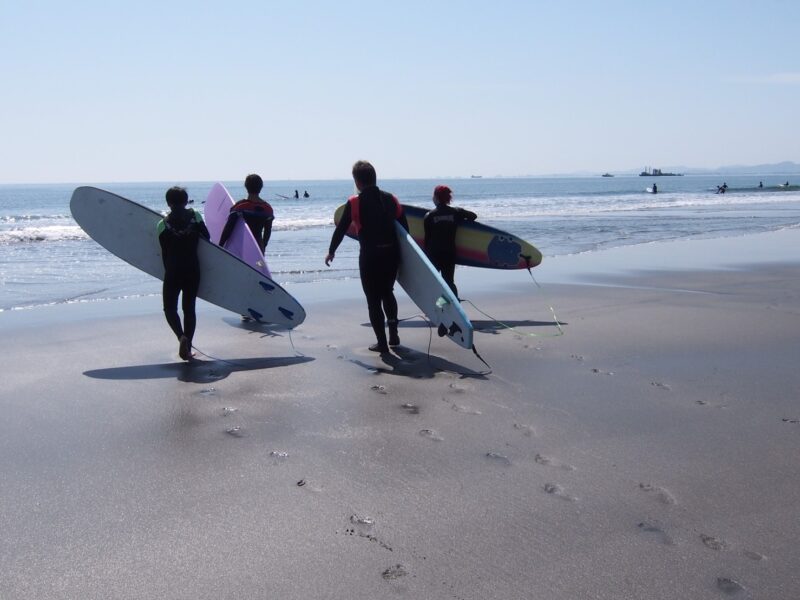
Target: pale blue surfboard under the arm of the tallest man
425	286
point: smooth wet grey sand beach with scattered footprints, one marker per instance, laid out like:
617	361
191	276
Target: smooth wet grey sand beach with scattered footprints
649	452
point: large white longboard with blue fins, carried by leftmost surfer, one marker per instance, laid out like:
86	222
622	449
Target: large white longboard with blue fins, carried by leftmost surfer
128	230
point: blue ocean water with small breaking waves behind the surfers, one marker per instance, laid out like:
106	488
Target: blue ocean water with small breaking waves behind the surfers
45	258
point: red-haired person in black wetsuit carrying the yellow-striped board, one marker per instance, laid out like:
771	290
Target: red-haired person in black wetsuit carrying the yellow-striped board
440	233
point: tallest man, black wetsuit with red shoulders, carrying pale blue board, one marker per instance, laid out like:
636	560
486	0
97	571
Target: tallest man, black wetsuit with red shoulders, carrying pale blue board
374	212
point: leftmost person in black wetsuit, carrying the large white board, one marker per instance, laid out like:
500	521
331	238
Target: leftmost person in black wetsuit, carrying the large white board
178	234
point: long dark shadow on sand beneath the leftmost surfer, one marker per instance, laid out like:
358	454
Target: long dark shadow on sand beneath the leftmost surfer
196	371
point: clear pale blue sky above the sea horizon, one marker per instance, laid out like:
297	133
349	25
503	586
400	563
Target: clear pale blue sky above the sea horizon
181	91
